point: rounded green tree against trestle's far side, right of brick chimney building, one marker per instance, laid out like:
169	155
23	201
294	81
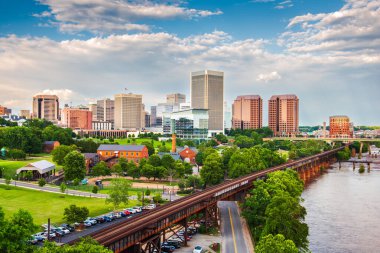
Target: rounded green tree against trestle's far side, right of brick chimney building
212	170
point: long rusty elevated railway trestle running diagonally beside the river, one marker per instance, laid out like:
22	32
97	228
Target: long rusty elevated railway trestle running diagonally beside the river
145	233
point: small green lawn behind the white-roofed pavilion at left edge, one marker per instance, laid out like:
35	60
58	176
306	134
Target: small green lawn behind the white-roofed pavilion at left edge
11	166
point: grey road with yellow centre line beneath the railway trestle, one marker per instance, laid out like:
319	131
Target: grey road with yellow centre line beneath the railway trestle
233	240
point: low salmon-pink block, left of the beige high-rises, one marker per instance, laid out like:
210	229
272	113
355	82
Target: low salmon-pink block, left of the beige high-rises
75	118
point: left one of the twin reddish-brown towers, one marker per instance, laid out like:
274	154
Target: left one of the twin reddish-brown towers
247	112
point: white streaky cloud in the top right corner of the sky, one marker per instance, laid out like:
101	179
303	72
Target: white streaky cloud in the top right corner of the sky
355	27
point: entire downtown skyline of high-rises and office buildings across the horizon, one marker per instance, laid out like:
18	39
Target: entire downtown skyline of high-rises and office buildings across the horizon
204	115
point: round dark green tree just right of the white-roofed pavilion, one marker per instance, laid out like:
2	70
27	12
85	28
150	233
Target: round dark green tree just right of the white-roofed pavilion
74	166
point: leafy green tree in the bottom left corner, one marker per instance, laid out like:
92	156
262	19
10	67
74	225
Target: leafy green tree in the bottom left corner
15	233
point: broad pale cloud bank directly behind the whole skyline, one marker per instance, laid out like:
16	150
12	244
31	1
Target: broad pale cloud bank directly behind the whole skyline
155	64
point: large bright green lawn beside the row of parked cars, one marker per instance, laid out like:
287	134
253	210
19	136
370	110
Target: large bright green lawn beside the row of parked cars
44	205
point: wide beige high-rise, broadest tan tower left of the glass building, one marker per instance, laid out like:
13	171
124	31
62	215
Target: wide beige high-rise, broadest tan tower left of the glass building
128	111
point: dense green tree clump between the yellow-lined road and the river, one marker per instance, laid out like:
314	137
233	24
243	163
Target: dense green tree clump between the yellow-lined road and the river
275	215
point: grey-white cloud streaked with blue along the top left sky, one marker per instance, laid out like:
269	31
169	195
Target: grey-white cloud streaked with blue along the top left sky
105	16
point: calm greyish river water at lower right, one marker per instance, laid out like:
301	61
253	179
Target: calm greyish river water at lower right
343	211
